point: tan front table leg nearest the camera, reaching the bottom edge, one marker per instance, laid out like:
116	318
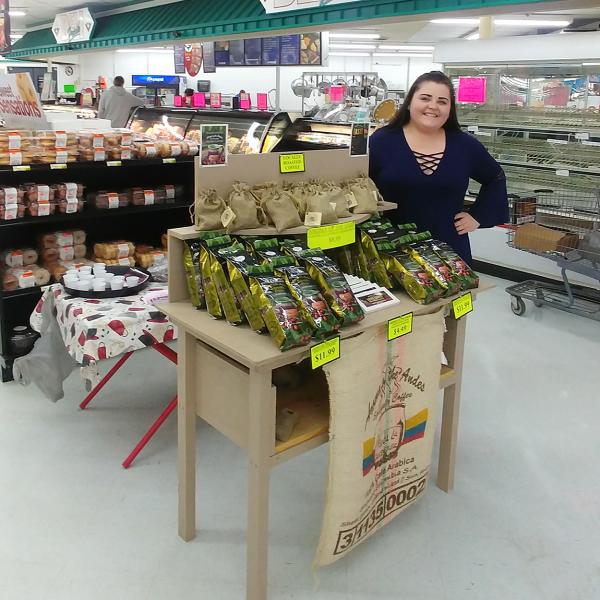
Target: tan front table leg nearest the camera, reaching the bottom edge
261	440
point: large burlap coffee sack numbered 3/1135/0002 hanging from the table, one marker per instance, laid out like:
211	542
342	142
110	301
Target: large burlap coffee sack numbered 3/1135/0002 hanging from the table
381	430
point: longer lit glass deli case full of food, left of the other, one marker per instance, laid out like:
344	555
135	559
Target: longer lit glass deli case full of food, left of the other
250	132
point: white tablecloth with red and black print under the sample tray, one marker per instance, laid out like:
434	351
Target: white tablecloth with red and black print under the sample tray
95	330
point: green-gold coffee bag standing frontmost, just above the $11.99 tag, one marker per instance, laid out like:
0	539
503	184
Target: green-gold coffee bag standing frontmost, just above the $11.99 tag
279	311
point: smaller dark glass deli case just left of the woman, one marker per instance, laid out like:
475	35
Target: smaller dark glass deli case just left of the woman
311	134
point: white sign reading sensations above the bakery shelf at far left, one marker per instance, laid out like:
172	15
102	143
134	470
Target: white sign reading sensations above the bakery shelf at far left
20	106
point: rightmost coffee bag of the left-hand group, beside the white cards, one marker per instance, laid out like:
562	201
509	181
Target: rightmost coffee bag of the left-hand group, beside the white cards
333	285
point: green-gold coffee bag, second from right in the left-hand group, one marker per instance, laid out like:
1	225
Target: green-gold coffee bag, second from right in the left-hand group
310	301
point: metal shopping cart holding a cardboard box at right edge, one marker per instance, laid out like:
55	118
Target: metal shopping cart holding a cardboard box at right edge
562	226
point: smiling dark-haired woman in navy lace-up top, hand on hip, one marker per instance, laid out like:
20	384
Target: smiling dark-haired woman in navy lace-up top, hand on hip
423	161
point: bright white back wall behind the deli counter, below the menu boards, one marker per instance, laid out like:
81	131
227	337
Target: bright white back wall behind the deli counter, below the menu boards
230	80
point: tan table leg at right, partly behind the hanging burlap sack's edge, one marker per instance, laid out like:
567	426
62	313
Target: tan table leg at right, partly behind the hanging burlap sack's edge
454	347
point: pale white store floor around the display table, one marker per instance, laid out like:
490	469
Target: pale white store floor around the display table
522	524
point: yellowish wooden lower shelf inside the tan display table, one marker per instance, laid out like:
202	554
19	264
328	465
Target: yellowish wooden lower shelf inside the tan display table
312	429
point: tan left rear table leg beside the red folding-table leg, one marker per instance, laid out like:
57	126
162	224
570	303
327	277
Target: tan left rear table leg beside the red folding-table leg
186	435
